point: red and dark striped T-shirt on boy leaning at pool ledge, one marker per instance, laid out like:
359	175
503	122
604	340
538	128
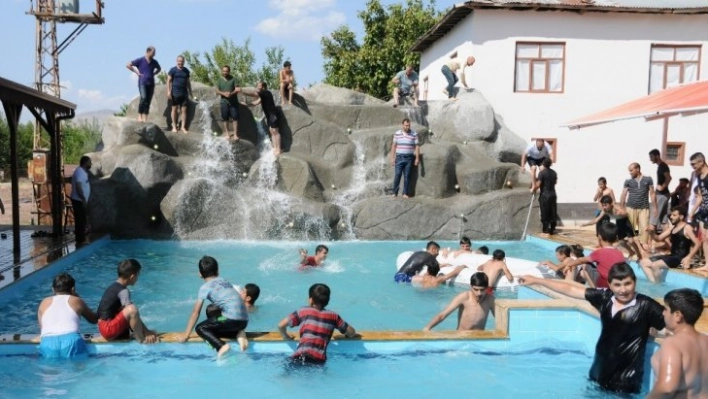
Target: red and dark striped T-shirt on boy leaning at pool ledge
316	331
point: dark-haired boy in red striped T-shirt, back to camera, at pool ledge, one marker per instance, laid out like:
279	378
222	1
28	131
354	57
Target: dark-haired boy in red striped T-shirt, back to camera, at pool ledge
318	325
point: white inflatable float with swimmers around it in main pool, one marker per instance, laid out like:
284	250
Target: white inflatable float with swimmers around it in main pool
517	267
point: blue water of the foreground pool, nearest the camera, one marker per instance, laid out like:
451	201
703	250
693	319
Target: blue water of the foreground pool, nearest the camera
404	369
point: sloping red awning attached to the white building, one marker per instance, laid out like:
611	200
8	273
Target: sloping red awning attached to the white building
681	100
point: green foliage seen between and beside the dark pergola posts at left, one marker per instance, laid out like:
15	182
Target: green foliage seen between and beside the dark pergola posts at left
79	138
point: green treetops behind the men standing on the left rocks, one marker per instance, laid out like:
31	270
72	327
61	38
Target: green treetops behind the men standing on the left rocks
206	67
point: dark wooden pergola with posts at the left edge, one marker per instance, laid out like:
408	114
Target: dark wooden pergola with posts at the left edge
49	111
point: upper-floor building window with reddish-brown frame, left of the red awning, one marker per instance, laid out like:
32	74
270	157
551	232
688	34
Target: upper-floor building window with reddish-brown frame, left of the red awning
540	67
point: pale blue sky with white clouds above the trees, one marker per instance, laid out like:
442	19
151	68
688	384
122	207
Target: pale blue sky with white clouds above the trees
92	68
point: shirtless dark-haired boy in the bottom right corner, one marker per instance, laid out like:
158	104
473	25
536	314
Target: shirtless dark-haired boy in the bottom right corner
681	363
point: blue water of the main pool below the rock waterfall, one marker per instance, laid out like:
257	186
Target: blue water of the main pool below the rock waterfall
359	273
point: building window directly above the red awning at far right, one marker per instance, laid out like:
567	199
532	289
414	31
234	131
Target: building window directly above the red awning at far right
673	65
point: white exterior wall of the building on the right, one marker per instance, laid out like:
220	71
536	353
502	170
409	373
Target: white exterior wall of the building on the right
606	64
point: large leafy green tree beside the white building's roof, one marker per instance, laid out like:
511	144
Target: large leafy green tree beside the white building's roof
389	34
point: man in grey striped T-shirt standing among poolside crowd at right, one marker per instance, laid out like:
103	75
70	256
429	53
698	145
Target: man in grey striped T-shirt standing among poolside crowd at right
638	189
